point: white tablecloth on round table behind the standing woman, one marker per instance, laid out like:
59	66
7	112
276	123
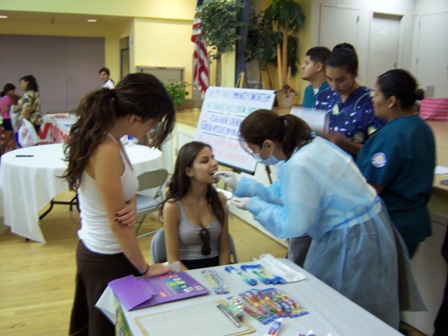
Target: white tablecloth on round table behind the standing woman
28	183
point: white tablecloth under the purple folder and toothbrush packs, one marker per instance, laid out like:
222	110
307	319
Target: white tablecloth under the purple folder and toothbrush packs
328	310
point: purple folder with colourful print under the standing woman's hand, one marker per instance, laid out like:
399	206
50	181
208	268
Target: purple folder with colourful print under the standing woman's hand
135	293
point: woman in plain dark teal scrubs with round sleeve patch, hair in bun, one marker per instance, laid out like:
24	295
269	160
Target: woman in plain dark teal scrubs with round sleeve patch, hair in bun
399	160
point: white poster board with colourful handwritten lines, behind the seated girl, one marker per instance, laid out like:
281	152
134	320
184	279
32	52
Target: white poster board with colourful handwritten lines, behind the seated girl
222	112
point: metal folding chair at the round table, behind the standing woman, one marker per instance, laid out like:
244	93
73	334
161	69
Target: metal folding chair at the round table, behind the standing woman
147	182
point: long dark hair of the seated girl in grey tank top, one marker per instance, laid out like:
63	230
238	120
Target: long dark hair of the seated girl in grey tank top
180	183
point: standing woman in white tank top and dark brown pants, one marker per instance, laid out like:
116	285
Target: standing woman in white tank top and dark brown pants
100	171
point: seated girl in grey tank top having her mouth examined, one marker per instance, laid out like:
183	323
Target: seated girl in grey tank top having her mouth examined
194	214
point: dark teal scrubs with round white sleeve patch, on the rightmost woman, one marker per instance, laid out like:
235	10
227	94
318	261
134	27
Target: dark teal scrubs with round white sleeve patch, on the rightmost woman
401	158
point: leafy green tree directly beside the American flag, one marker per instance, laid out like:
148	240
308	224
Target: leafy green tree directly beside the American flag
220	22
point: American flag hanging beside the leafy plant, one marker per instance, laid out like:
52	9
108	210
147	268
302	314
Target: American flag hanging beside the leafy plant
200	61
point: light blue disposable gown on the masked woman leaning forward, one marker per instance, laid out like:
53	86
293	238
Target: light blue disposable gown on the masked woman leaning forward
321	192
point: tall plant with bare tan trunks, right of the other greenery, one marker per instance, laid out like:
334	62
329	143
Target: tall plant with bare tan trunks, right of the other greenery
286	18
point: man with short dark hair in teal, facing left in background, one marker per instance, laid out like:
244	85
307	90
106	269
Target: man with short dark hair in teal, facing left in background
313	70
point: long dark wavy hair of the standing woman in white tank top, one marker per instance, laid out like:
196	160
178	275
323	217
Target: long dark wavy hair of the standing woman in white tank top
136	94
